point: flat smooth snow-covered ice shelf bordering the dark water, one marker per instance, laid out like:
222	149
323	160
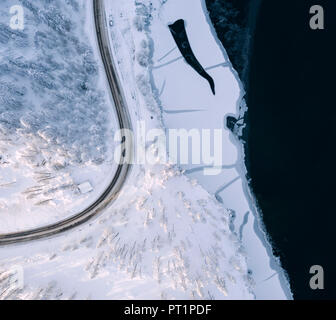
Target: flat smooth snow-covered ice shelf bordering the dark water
186	101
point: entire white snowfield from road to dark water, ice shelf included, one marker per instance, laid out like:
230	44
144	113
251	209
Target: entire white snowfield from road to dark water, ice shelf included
166	236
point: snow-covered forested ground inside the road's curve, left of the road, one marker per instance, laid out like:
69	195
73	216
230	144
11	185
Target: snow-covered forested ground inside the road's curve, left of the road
56	118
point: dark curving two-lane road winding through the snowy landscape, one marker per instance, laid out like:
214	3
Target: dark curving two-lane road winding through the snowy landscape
112	191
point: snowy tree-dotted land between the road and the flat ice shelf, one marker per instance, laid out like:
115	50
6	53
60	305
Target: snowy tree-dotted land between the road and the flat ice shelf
164	237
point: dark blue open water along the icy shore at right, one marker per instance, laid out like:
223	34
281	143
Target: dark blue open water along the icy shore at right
289	73
